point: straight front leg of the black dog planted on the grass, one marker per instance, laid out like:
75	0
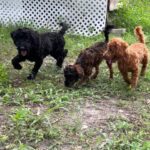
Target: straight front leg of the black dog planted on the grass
35	69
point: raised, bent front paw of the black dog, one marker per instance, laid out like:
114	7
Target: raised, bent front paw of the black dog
16	60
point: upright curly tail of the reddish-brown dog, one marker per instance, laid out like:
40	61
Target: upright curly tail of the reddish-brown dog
139	34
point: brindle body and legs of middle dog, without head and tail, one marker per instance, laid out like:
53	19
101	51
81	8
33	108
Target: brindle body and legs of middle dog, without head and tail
91	58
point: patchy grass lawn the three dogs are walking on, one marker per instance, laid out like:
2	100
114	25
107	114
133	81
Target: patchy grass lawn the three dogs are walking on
44	115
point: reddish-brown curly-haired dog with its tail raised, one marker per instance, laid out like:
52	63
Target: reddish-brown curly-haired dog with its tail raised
129	57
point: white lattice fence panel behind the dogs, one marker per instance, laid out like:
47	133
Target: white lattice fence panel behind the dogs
84	16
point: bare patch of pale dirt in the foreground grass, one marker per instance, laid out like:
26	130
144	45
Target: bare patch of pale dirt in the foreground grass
97	114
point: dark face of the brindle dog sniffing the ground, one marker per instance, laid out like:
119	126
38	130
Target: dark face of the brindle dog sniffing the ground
71	76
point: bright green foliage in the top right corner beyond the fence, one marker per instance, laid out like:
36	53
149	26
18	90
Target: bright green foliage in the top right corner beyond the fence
132	13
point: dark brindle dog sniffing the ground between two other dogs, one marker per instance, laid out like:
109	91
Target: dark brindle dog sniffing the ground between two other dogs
87	60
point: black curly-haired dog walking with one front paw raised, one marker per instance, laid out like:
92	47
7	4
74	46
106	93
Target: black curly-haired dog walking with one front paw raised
34	46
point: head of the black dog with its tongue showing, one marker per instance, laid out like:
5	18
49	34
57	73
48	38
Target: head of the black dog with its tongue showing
23	39
